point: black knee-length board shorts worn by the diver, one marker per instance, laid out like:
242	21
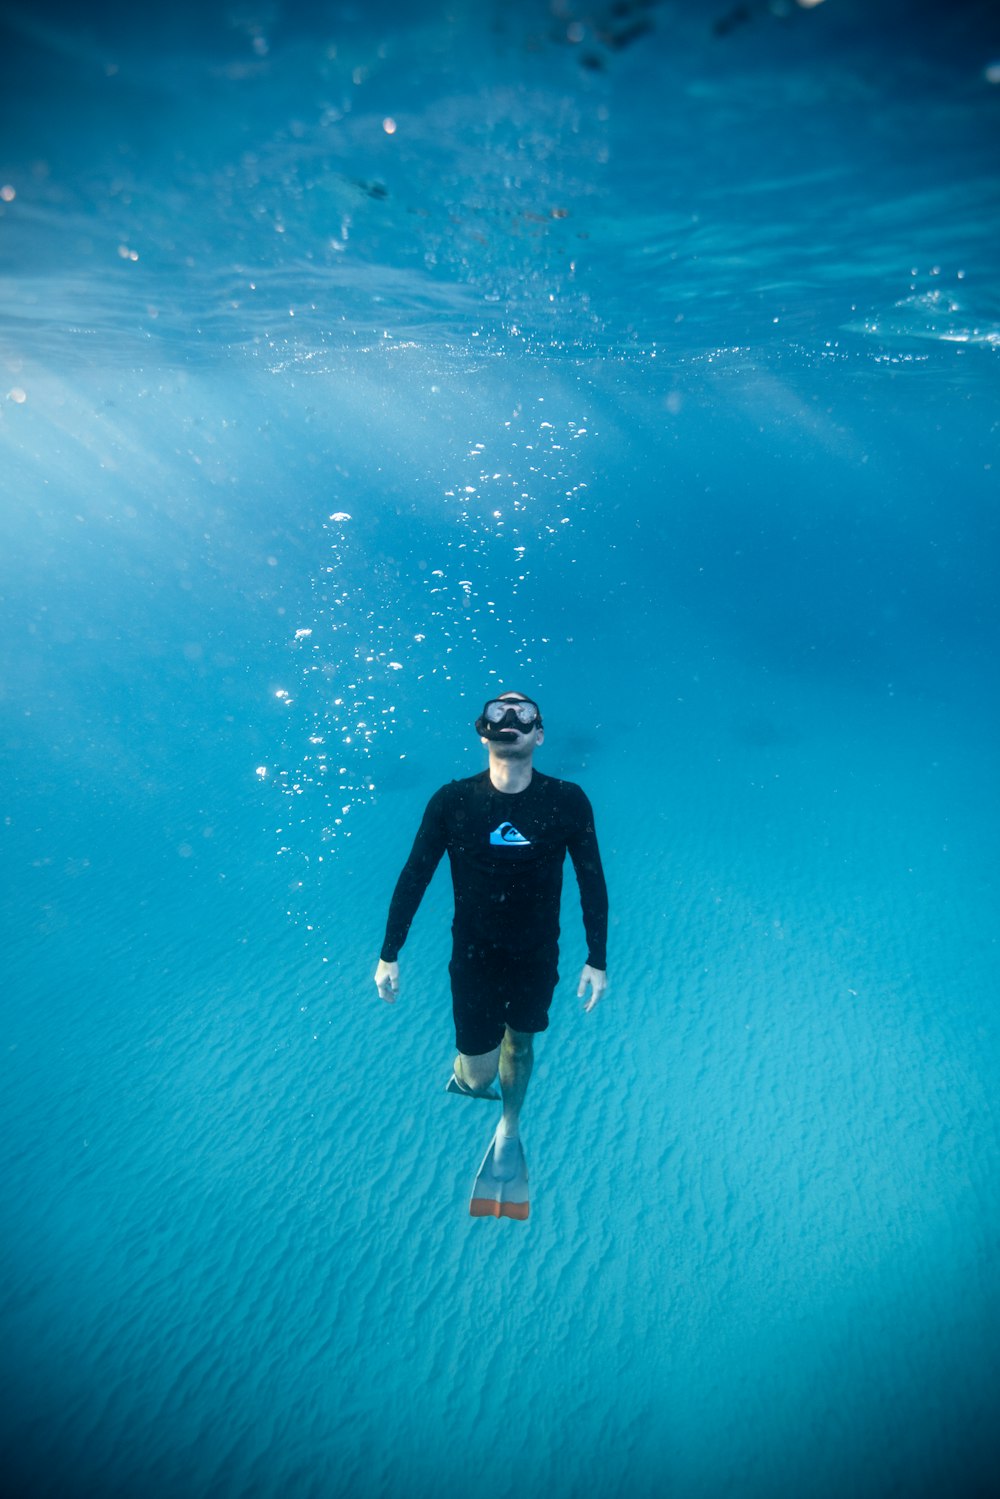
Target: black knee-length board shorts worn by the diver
494	989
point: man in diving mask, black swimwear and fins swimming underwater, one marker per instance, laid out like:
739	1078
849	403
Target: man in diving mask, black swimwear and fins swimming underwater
506	833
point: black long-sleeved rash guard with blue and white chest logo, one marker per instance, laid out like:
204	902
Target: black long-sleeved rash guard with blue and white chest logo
507	854
